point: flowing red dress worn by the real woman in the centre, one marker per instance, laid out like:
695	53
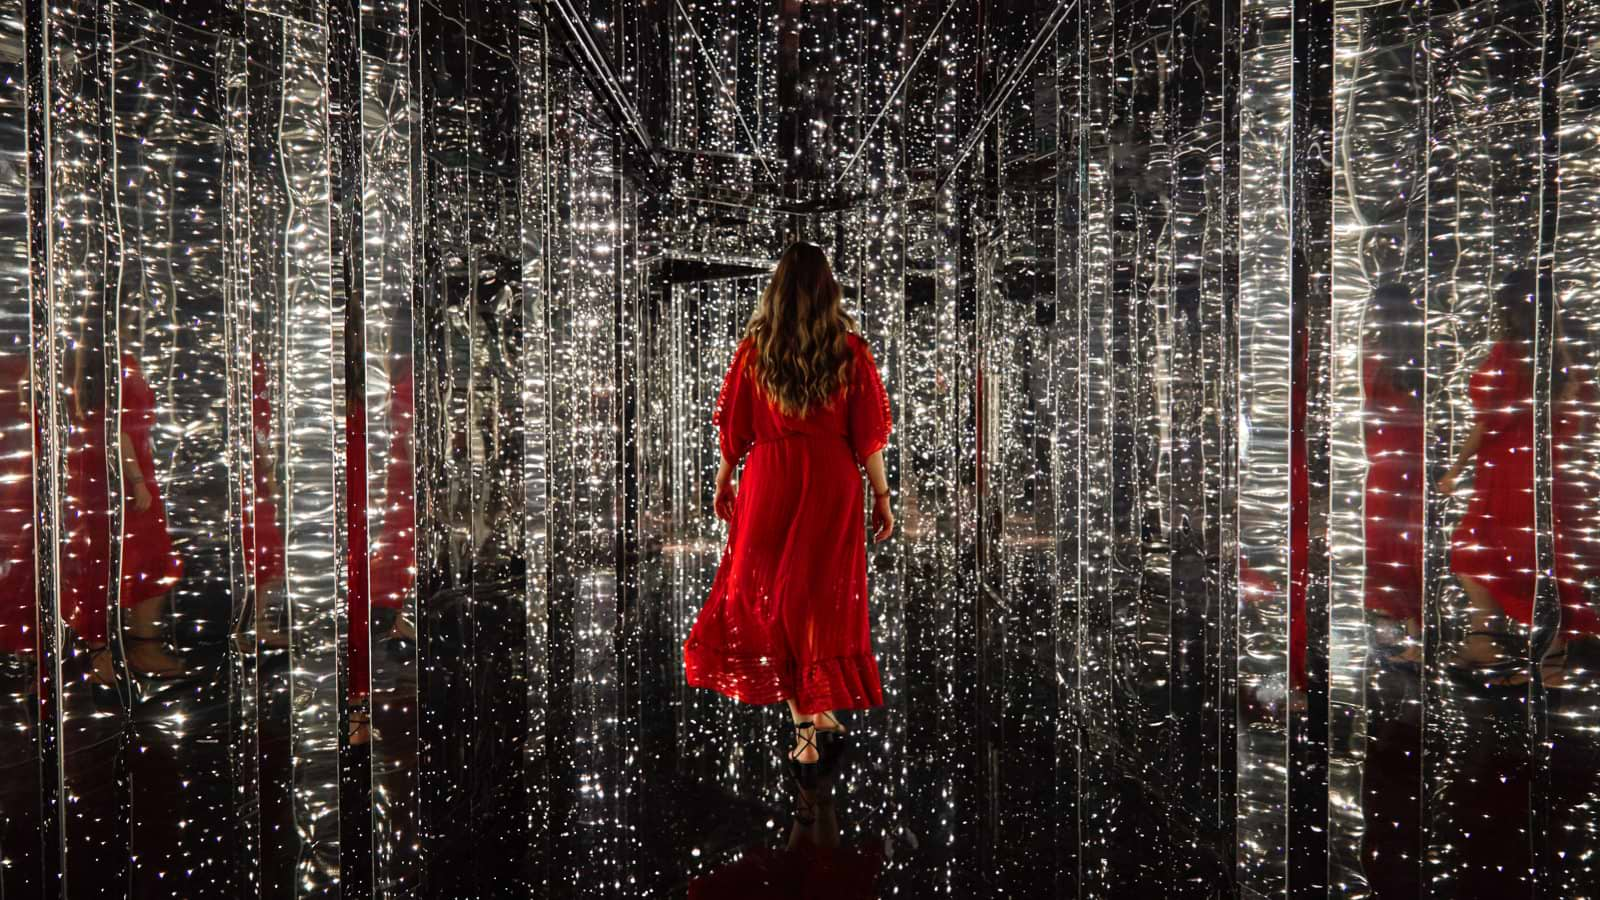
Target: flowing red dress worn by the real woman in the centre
788	611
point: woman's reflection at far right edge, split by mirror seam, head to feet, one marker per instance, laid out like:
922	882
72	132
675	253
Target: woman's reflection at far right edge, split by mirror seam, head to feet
1494	548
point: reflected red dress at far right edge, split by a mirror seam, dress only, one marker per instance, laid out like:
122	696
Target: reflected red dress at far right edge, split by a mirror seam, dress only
1495	540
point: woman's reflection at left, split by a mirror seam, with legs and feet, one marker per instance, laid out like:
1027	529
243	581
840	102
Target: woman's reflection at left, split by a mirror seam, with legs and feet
150	568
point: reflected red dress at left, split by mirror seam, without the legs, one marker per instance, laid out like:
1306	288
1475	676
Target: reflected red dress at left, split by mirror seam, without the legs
150	568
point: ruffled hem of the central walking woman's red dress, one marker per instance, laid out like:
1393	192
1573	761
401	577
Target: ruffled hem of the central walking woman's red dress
838	683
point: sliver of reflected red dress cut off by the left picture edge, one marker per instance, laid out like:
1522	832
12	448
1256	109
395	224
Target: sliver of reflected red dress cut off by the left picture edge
18	595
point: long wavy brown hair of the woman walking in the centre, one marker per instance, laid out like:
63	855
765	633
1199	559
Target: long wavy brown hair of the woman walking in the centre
801	353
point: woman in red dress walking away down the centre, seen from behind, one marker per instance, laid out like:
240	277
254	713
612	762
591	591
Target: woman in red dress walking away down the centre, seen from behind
788	611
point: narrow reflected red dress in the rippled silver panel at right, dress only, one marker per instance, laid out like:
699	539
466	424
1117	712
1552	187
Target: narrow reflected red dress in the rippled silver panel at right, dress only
1393	433
